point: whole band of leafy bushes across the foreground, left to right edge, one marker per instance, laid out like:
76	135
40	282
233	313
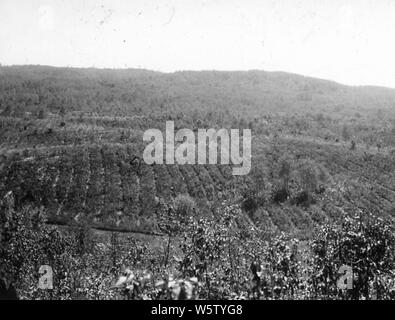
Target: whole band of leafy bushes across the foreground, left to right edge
223	258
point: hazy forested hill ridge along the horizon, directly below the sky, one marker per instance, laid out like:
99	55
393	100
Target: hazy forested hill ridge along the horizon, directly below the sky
126	91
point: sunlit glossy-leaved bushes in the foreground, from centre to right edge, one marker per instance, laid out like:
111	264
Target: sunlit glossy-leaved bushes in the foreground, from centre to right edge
228	259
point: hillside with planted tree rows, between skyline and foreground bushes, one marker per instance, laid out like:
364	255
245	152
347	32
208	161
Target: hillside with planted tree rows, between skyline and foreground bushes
71	145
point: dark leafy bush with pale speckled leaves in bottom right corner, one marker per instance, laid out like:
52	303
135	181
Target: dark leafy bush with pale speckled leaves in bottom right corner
367	246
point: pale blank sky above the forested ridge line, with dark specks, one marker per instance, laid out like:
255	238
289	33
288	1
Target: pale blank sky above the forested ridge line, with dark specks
348	41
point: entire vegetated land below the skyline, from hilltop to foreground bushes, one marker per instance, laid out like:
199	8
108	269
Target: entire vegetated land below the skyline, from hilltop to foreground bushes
77	197
